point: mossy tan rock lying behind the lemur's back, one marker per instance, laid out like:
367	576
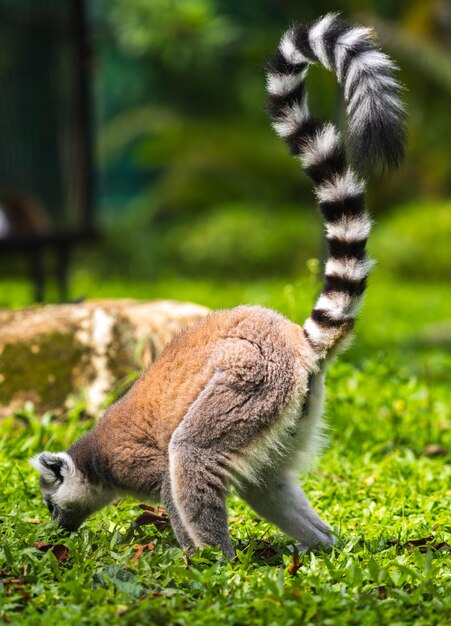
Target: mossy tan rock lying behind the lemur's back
52	352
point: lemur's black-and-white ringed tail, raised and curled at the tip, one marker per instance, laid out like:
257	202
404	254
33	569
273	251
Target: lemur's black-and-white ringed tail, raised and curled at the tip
376	136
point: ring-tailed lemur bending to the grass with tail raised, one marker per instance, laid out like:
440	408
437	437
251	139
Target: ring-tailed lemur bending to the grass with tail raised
237	398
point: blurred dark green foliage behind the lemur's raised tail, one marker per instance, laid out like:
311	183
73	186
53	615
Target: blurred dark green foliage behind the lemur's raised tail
192	179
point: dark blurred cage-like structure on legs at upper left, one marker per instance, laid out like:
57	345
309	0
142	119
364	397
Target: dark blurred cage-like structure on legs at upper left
46	173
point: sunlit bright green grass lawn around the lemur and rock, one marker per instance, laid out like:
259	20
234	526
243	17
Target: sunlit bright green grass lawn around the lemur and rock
388	398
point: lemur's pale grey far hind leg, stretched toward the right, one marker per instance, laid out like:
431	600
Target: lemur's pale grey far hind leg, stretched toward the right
284	503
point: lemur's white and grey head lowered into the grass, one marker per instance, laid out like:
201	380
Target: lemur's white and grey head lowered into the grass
68	494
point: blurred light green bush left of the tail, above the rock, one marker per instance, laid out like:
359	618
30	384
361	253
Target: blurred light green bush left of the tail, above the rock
237	240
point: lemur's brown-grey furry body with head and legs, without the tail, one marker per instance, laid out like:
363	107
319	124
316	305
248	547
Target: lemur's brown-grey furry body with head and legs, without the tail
225	403
